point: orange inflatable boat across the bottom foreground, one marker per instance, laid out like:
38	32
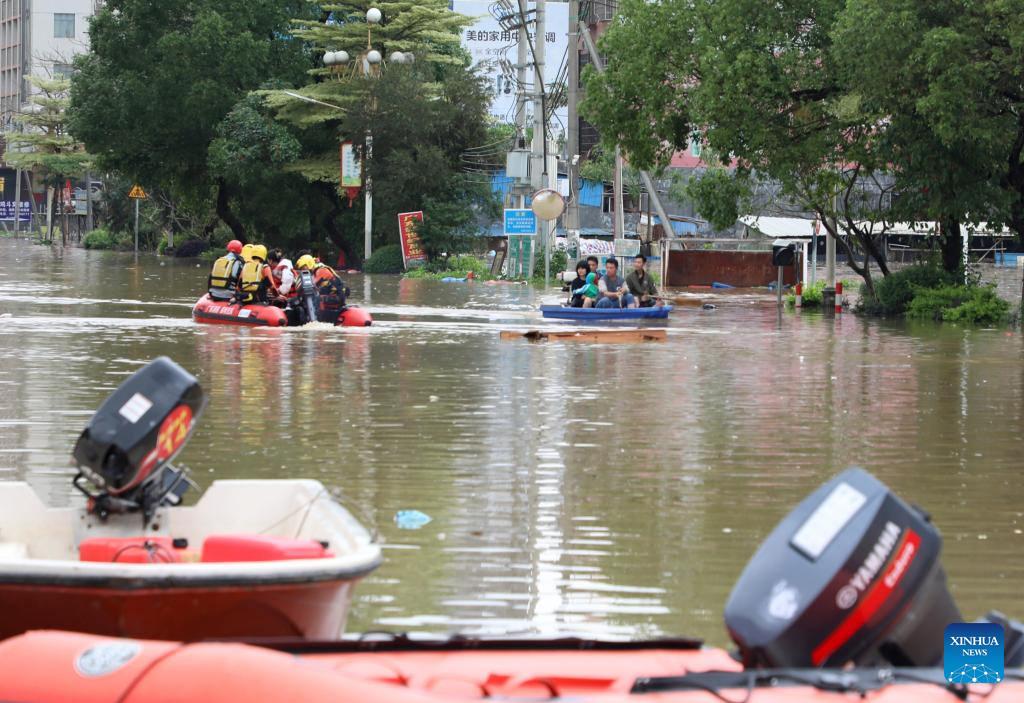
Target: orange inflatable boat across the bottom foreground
46	667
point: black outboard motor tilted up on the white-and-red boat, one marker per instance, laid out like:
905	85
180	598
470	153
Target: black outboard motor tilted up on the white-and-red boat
125	451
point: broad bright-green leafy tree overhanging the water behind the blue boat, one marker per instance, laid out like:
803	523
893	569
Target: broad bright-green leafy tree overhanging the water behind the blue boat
774	87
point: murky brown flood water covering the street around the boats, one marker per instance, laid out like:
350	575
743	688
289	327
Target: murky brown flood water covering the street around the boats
605	490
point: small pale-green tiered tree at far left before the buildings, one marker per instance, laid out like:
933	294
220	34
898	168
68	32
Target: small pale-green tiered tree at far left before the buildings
45	147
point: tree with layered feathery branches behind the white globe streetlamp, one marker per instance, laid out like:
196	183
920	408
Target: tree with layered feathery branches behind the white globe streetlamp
423	117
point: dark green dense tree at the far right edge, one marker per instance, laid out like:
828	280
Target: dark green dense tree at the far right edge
950	99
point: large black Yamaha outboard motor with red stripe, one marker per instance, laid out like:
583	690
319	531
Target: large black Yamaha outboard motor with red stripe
851	576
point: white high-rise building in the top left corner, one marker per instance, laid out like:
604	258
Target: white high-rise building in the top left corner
38	38
